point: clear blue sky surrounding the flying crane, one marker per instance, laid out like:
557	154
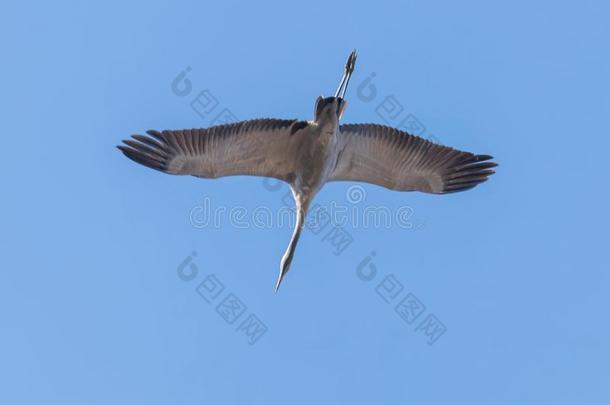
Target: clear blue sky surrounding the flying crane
91	305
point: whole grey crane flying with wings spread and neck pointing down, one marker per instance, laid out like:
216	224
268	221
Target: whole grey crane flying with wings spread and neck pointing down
308	154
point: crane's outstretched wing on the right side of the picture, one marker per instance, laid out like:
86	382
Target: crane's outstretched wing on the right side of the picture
397	160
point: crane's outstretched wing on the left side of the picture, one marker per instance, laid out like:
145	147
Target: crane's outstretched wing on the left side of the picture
261	147
